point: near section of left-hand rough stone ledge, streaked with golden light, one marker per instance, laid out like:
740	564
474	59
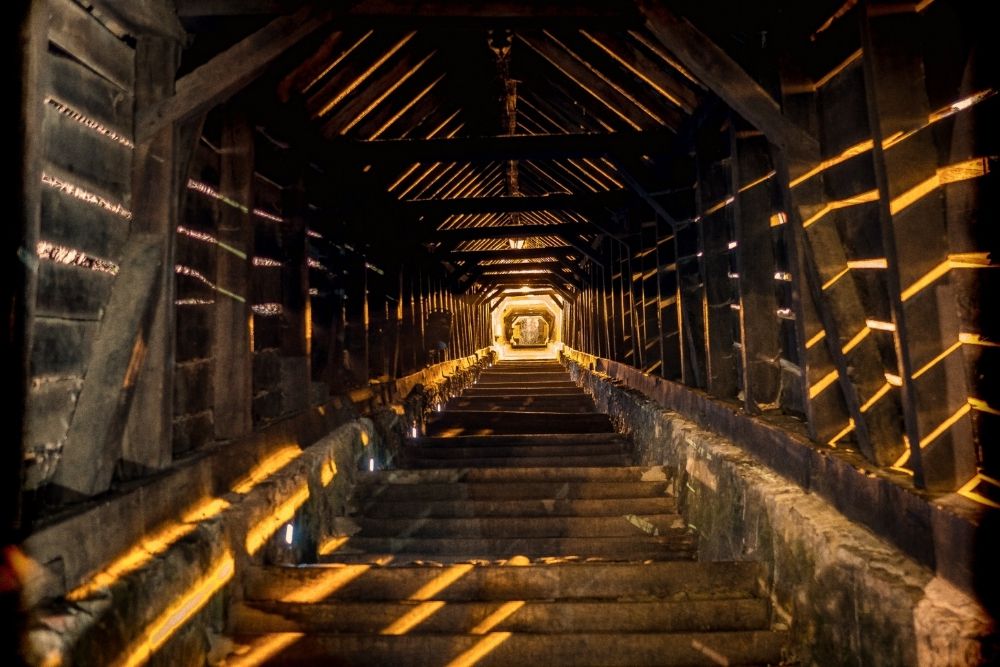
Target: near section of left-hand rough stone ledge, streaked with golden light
172	605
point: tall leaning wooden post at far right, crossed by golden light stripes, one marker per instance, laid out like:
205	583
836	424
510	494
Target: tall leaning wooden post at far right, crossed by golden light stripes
915	244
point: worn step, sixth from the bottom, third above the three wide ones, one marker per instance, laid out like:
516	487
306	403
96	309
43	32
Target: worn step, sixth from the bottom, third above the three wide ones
542	491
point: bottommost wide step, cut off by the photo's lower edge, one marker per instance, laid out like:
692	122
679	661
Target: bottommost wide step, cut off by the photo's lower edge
519	649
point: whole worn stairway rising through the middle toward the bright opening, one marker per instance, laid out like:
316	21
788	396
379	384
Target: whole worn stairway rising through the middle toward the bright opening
519	535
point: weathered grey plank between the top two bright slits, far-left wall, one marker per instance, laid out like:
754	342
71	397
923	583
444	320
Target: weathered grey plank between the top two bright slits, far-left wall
90	157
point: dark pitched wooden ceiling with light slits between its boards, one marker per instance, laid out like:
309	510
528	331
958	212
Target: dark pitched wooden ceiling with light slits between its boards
487	129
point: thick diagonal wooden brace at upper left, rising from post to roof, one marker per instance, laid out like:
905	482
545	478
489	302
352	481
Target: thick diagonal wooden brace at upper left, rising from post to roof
232	70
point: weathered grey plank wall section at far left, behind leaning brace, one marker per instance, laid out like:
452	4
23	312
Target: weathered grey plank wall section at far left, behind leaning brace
85	218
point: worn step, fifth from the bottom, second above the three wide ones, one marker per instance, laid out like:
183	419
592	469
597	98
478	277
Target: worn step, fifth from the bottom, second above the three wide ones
628	525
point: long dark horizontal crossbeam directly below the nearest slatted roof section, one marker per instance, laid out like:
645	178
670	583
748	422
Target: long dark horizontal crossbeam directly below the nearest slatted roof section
518	147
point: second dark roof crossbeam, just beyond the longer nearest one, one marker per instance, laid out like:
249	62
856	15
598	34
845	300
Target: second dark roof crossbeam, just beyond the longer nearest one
555	202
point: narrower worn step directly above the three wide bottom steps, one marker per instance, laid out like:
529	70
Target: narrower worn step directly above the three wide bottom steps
456	549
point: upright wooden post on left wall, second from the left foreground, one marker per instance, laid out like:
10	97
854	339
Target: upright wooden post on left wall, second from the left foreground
232	347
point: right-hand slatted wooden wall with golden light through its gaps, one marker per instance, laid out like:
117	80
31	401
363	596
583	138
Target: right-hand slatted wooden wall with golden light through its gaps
846	287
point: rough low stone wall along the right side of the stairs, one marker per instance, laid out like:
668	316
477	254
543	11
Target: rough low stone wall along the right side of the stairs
847	596
